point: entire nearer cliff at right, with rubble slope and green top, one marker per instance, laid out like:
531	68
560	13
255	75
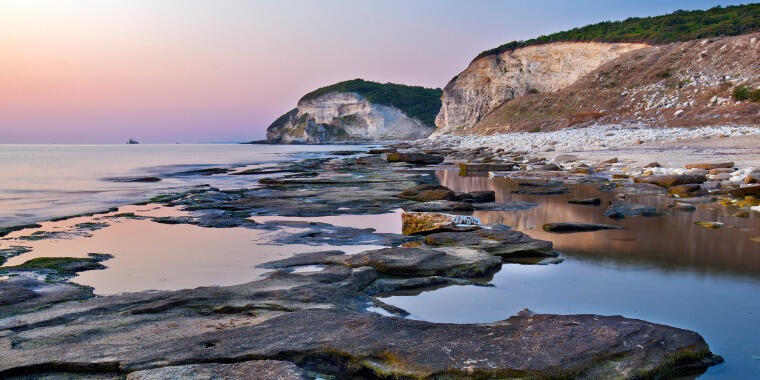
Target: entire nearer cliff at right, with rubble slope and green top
630	70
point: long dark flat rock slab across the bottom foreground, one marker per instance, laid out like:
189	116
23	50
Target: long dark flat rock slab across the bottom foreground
347	344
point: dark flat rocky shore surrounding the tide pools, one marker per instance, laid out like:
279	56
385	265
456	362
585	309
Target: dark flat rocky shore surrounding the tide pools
318	314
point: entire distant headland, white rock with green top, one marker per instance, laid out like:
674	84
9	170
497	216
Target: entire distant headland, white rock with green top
358	110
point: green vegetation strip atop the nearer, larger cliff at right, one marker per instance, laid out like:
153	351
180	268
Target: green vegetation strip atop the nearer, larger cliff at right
674	27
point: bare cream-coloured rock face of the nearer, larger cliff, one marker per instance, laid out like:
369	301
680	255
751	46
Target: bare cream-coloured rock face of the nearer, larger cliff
493	79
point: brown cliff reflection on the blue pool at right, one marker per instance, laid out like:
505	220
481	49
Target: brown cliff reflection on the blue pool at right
668	242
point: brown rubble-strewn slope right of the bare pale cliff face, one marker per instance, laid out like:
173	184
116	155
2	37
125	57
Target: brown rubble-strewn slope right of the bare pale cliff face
680	84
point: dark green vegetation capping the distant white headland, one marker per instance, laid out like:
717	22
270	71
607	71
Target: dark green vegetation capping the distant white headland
416	102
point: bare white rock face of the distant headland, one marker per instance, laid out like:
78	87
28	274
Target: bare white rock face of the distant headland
344	117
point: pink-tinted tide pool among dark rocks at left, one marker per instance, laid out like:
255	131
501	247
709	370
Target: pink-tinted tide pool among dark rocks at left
149	255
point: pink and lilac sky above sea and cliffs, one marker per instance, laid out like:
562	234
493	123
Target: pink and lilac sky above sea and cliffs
165	71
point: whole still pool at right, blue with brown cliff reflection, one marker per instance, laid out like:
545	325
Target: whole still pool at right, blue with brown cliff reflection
662	269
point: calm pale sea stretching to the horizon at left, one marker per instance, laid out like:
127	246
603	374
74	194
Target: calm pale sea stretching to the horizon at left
39	182
